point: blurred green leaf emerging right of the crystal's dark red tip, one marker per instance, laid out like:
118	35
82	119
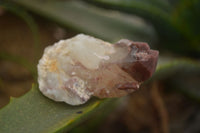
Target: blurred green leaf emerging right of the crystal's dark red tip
180	75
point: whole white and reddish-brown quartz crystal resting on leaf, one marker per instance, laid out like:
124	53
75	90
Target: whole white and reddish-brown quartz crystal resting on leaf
75	69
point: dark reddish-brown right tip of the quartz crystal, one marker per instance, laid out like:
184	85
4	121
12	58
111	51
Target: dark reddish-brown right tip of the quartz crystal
143	62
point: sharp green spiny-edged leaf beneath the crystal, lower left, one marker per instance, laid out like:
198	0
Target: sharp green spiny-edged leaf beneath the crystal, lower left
34	113
